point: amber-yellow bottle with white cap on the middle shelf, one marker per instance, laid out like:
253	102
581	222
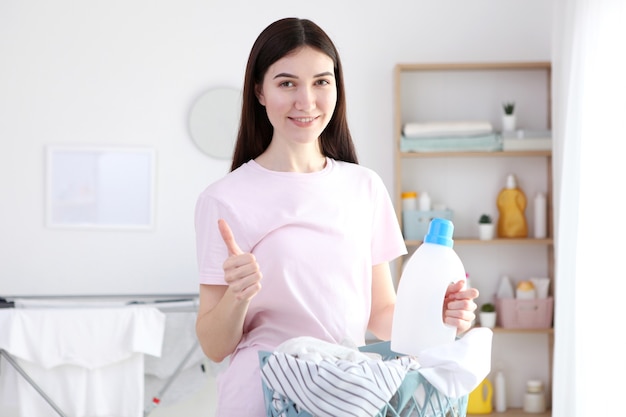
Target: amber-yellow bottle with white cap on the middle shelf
511	206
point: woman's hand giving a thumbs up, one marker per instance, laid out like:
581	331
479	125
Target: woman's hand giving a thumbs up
241	270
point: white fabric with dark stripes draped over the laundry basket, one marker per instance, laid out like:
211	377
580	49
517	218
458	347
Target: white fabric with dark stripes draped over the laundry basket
338	388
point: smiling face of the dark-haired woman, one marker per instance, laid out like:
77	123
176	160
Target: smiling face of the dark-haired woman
299	93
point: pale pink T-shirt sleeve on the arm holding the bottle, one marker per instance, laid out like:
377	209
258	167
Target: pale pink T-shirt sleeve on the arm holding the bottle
387	241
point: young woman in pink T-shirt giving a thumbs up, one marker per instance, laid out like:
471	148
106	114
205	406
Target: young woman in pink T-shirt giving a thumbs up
296	239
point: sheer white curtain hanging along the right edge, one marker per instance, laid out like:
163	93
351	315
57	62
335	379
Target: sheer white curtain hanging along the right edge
589	122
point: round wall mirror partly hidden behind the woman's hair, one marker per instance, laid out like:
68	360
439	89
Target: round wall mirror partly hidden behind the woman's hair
214	121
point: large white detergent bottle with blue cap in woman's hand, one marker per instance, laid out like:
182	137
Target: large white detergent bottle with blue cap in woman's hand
418	317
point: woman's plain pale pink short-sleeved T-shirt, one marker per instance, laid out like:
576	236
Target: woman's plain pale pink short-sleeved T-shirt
316	237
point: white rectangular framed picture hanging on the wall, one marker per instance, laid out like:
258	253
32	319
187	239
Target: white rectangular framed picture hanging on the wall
100	187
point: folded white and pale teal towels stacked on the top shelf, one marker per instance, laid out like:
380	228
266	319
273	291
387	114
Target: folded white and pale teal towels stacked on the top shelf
452	136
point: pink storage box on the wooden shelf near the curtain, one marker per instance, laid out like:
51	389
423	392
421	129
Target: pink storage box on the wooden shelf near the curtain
524	314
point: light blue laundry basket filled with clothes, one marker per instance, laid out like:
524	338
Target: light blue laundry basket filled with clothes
416	397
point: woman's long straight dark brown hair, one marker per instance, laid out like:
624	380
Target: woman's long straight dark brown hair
255	130
